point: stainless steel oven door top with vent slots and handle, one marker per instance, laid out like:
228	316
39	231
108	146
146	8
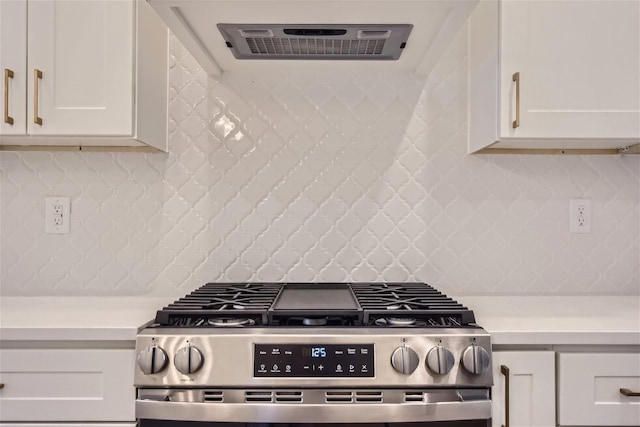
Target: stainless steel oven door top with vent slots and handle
308	407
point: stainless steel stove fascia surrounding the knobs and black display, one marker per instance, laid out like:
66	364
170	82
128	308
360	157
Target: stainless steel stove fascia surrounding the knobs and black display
237	345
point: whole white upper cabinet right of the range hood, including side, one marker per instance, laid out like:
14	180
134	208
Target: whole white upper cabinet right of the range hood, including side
555	74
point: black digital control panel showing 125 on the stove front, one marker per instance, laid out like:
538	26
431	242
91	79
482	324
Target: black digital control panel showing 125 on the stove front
313	360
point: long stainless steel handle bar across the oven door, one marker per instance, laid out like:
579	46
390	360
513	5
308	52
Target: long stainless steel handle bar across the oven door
453	405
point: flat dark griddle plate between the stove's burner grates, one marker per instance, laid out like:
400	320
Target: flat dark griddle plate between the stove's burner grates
316	300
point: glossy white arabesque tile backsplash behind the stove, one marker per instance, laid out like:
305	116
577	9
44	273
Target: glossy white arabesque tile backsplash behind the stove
319	177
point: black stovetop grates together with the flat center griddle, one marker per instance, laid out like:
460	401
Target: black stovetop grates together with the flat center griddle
395	305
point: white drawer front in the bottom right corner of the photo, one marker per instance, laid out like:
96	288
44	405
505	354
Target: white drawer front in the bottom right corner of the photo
589	389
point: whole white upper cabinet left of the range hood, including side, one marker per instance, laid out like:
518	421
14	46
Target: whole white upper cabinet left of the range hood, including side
85	73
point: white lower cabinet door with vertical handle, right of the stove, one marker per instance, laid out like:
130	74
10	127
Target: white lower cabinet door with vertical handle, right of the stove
524	389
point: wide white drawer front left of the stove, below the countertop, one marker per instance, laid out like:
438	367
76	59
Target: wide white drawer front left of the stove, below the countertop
67	385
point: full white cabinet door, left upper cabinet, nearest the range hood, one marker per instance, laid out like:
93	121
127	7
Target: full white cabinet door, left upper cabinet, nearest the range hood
80	65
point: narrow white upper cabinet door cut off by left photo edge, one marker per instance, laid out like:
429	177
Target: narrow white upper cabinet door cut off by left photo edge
13	66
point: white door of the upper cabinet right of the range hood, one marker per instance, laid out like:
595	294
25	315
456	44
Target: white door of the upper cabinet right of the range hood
579	68
